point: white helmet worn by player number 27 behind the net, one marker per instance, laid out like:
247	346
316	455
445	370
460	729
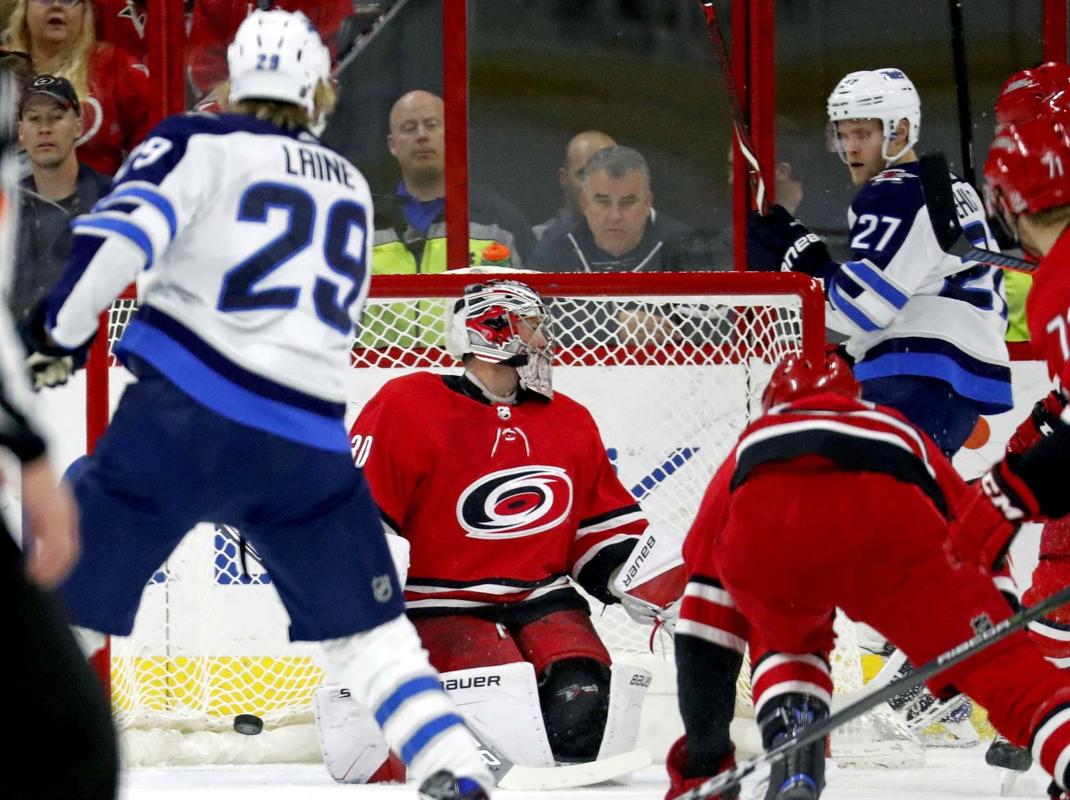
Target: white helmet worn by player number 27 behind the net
885	95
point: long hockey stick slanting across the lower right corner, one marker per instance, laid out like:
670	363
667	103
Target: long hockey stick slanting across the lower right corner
985	639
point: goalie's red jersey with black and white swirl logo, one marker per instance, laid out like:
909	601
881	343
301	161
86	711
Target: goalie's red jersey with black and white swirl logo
501	504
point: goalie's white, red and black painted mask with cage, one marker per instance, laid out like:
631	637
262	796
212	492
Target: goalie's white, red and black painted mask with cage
505	322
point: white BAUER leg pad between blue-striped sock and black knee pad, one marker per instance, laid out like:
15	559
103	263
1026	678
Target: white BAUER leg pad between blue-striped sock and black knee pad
501	703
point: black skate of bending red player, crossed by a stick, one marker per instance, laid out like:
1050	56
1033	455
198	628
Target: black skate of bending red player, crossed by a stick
801	776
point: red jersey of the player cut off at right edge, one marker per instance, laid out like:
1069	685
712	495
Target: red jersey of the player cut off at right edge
1048	312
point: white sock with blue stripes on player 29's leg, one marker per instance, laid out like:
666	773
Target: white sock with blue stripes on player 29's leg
388	671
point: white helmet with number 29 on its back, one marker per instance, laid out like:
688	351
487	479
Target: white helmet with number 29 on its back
278	56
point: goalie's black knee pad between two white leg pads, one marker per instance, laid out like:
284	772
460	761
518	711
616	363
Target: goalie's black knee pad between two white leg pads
574	695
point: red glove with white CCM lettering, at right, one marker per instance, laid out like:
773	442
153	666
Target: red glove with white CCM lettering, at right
989	516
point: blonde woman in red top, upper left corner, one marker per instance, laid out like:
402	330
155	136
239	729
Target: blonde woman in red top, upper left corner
59	36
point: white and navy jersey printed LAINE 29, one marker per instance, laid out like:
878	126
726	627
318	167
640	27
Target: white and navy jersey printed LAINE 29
255	245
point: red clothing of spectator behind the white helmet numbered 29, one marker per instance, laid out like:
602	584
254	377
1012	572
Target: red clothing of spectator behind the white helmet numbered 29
216	23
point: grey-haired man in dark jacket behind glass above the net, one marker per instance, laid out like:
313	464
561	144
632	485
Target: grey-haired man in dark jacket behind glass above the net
620	230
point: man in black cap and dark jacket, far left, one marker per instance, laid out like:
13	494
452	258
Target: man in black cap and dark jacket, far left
57	191
